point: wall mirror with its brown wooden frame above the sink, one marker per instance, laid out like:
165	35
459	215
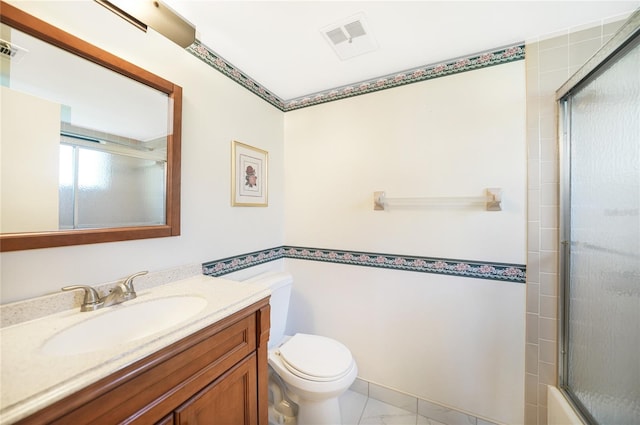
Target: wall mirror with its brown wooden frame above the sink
141	152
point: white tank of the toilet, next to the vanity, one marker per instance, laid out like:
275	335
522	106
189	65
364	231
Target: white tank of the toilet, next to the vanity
280	284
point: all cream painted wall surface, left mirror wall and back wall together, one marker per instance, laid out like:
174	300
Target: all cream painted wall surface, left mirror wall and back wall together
455	341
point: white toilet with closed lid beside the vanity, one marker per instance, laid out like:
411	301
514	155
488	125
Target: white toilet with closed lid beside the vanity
315	370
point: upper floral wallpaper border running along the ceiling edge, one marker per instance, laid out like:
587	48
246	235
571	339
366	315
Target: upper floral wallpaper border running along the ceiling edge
453	66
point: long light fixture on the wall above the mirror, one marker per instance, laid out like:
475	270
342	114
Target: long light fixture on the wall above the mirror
156	15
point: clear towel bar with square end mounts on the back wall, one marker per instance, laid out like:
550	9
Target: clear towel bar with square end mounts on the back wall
491	201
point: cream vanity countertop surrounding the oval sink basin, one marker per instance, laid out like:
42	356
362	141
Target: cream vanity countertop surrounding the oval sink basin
31	379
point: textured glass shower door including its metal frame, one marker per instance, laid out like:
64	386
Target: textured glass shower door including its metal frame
600	233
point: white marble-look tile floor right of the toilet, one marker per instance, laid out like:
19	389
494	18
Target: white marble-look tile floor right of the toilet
358	409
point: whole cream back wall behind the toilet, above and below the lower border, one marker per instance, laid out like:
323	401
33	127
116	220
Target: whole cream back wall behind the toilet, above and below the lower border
455	341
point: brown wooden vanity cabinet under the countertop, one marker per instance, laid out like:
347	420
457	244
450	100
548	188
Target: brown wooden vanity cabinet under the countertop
216	376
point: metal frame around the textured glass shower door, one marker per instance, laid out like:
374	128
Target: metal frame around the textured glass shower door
626	37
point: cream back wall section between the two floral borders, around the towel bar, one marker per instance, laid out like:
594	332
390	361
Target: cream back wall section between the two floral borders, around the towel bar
452	136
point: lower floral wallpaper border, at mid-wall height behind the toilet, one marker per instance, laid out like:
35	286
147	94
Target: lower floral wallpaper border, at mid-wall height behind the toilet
505	272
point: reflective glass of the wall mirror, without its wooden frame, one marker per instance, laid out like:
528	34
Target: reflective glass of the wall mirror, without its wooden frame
96	146
